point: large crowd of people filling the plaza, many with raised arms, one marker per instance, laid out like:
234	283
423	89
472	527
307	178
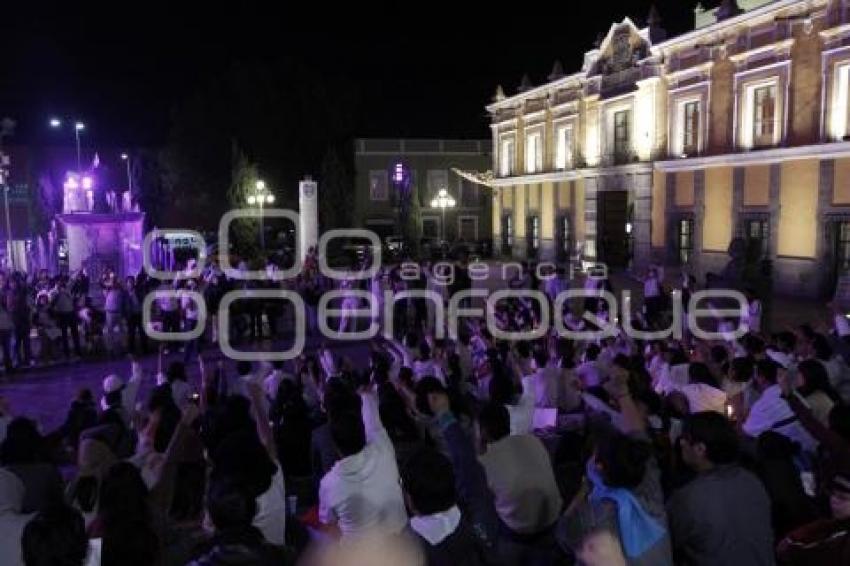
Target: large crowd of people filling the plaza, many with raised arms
463	449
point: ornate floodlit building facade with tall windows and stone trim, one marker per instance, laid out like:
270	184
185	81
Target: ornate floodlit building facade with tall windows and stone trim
666	149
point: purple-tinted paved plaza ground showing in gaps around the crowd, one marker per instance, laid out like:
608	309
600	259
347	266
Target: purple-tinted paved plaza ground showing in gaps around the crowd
45	393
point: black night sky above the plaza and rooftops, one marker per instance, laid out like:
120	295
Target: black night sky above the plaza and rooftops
420	69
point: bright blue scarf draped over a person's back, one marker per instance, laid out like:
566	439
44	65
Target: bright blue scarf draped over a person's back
639	531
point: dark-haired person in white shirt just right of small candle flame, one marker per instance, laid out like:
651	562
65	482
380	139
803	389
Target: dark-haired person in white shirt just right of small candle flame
772	412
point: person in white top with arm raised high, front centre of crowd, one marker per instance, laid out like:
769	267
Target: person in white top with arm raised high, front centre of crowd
361	493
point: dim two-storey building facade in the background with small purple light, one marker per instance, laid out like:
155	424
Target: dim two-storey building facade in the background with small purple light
387	168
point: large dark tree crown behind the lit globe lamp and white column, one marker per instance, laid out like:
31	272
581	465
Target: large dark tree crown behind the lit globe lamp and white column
282	125
